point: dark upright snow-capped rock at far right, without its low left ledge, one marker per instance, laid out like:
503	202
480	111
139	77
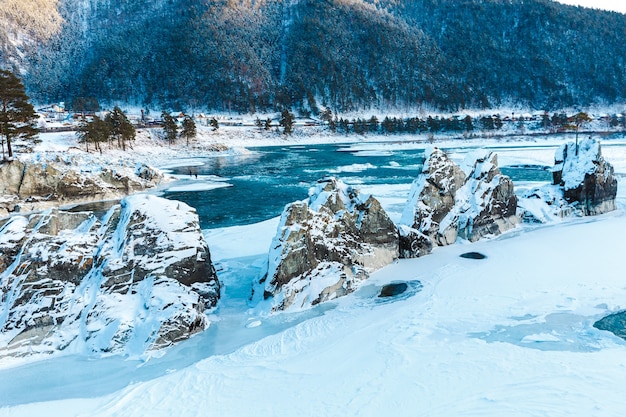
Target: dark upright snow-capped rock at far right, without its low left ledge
586	178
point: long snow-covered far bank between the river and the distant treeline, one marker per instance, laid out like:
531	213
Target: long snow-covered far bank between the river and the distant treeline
151	149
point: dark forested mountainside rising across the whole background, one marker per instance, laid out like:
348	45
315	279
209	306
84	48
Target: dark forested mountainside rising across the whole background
251	55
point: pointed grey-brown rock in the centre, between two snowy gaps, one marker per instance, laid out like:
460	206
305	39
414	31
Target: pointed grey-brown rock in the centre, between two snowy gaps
326	245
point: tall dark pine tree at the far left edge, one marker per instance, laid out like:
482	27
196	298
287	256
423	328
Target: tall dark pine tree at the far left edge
17	115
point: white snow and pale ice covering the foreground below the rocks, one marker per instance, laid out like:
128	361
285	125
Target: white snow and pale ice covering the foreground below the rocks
509	335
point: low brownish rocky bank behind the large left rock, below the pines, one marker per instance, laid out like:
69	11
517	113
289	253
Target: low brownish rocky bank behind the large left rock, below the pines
27	186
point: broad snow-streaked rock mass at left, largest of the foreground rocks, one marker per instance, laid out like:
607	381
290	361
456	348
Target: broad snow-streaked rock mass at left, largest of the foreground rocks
139	278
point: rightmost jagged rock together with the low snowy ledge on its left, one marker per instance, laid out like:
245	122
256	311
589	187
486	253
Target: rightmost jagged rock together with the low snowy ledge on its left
583	185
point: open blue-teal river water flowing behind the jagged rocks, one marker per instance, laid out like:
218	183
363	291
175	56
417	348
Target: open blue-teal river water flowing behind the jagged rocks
265	180
